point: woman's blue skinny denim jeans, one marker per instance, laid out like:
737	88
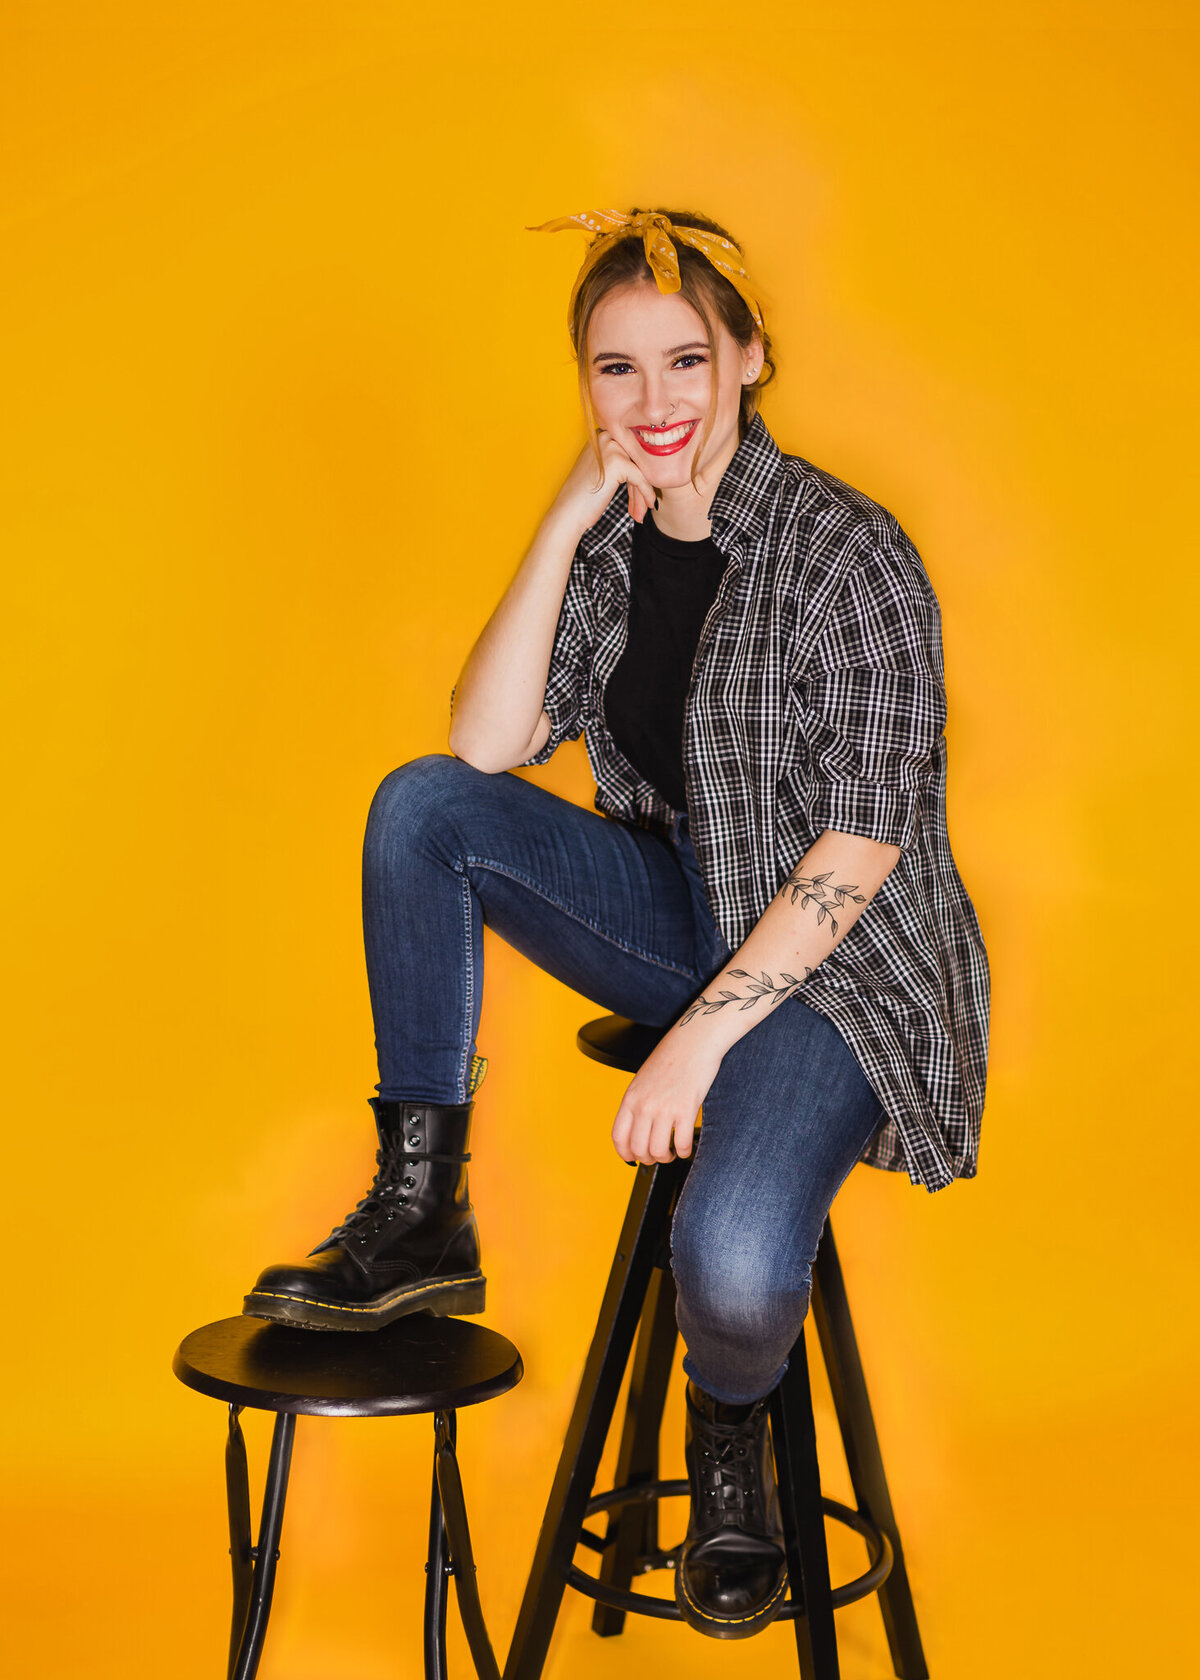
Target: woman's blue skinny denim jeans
621	916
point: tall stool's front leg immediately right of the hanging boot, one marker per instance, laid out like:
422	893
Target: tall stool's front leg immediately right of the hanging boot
794	1436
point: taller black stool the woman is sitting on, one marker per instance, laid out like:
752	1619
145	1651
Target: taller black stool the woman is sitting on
641	1293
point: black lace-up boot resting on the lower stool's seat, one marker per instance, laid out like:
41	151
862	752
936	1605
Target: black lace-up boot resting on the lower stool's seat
411	1246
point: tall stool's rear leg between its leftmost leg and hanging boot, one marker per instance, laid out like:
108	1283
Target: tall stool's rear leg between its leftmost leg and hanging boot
633	1531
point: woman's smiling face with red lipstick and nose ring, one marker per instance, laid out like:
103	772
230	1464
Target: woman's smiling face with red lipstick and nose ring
651	384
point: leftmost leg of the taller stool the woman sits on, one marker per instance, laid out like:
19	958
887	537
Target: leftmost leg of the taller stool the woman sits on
646	1221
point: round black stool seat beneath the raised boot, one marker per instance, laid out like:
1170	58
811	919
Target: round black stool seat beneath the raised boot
413	1365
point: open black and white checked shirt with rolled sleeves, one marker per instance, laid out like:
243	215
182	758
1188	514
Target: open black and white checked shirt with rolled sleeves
818	703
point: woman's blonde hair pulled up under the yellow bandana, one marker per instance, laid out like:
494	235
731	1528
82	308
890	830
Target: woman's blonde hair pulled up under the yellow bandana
707	291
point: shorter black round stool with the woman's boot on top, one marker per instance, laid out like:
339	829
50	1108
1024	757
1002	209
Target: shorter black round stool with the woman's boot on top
414	1365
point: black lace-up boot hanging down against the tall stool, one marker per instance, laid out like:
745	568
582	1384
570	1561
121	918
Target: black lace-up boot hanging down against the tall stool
732	1573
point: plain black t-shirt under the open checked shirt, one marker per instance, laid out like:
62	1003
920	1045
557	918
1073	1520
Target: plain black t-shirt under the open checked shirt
673	589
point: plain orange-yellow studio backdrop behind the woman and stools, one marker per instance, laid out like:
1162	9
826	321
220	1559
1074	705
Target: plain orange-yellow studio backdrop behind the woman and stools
287	394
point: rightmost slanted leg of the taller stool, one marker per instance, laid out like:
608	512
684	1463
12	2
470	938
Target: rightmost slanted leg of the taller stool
863	1457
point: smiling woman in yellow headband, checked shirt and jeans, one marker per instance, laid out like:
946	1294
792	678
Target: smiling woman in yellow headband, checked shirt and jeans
755	653
